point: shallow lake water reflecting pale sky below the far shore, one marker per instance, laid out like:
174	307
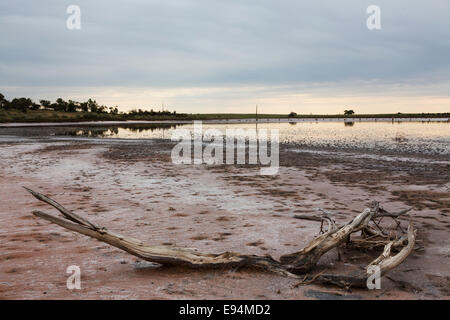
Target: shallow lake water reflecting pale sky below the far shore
402	137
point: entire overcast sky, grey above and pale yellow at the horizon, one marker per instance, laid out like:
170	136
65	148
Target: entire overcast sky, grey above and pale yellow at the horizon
228	56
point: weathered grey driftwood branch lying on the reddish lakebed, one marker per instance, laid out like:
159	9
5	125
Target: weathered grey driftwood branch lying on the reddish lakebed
291	265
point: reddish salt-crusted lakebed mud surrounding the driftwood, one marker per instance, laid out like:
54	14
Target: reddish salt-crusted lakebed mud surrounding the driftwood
134	189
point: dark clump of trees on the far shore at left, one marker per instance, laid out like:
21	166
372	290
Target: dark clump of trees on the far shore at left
90	106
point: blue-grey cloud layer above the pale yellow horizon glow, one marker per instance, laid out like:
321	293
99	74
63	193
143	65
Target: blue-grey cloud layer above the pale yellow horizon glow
202	43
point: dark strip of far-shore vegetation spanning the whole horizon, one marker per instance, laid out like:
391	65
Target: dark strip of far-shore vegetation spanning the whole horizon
26	110
